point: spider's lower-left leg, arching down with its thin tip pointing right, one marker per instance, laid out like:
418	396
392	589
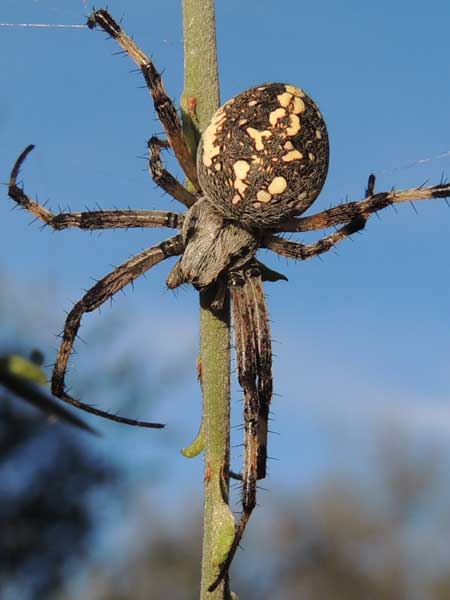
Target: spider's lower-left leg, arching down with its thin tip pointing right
104	289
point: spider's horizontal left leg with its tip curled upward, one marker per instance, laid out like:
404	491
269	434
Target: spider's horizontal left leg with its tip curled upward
96	219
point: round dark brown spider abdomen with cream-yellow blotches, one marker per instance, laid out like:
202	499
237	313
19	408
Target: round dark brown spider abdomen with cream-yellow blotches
264	156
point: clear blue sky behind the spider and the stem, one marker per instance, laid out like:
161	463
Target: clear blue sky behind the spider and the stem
362	337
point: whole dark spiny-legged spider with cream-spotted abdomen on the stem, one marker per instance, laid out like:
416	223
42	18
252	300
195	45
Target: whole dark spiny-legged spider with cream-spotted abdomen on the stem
261	163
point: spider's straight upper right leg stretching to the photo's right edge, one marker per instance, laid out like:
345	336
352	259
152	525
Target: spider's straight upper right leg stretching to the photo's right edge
363	208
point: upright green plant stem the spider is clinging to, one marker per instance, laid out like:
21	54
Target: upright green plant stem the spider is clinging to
200	100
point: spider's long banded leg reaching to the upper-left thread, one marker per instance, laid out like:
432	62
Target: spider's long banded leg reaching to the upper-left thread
164	106
